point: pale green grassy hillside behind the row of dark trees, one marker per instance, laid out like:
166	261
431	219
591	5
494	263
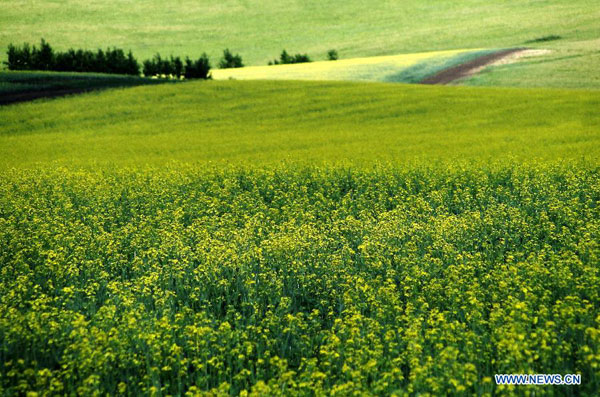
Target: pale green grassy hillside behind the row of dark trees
259	30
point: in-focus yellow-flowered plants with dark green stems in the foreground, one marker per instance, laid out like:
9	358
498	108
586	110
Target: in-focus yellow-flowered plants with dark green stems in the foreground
286	281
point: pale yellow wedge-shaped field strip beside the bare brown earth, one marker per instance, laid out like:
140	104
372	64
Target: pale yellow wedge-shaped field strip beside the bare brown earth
398	68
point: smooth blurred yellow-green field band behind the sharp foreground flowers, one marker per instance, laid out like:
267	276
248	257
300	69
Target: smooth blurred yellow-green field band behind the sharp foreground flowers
270	122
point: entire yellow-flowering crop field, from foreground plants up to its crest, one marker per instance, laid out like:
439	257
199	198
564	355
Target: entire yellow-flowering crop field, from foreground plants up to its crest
289	238
